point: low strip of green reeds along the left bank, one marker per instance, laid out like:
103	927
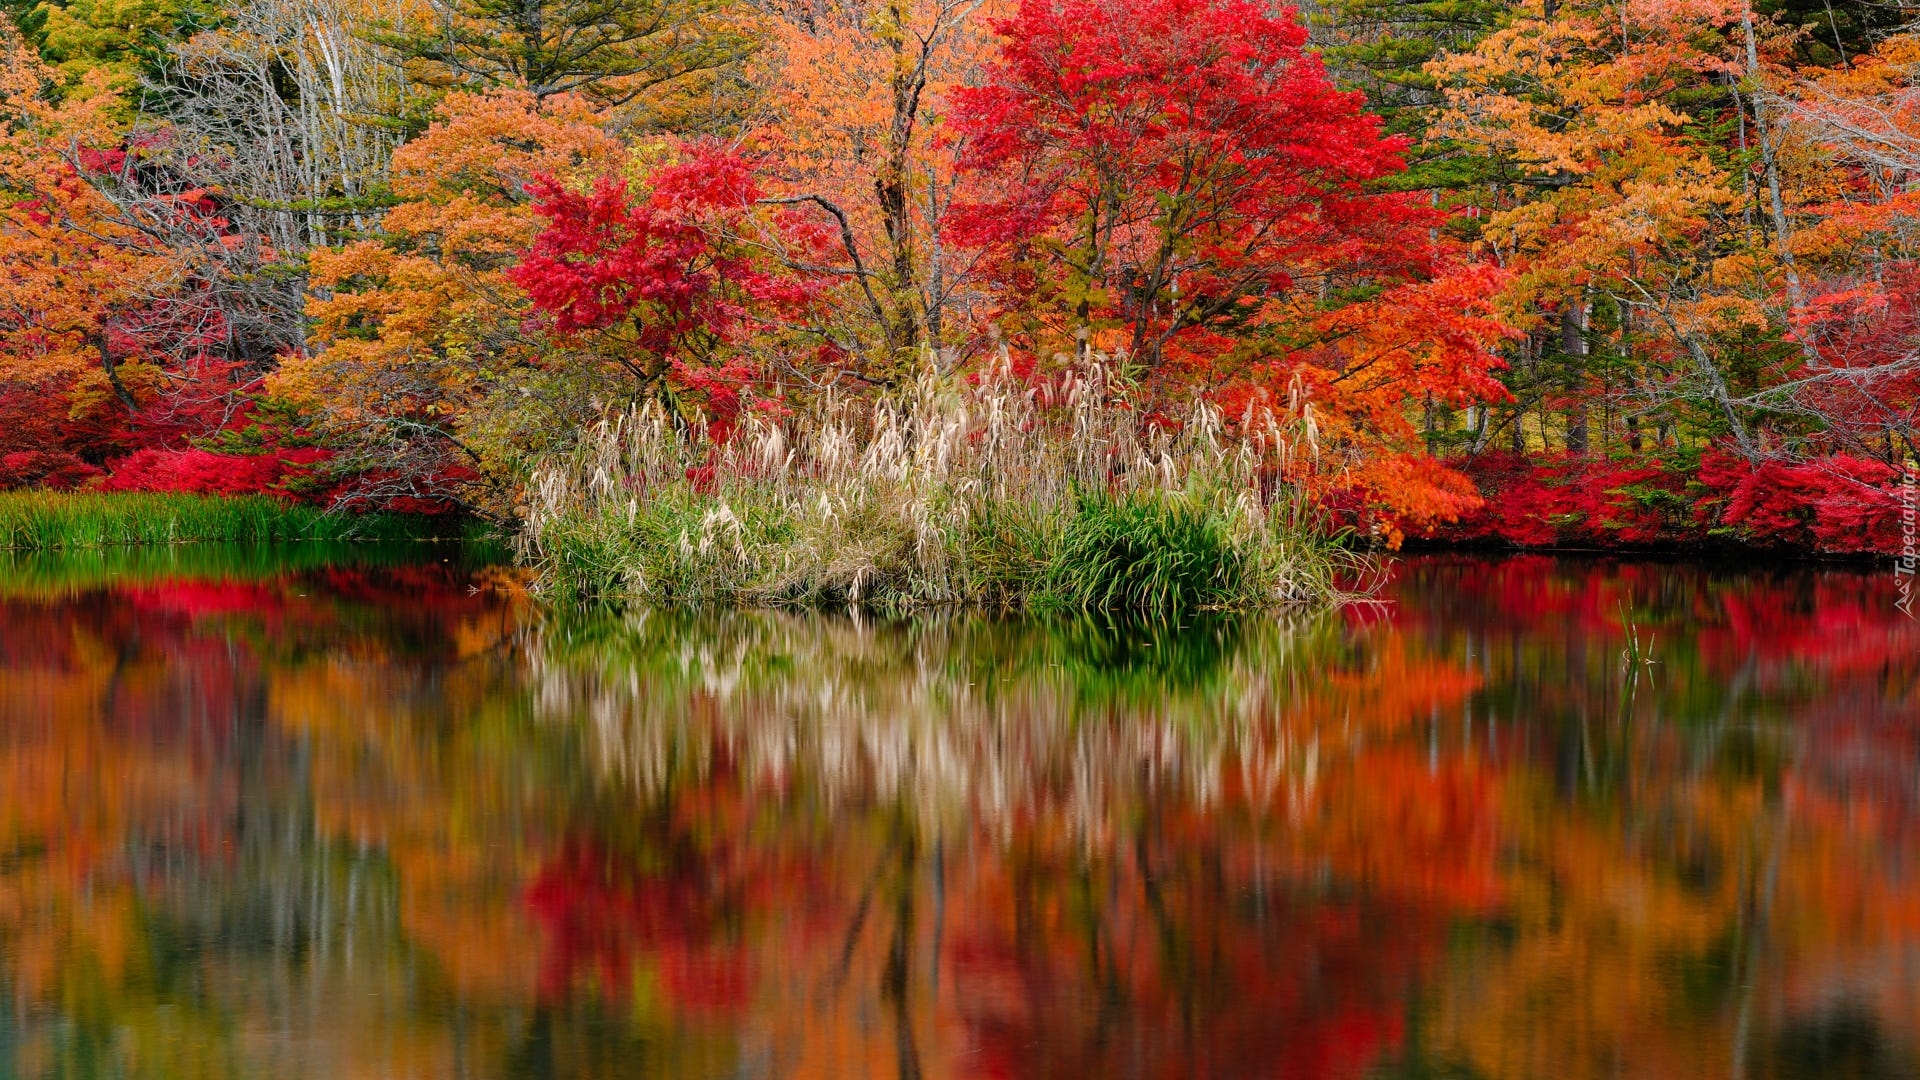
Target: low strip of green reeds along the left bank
49	522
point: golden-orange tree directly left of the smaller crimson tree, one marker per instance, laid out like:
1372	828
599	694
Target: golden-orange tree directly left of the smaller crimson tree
423	355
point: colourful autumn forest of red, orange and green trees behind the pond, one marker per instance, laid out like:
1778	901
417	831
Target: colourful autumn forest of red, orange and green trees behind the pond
1548	274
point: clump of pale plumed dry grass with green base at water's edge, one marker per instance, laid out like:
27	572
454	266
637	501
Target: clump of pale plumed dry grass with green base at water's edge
957	495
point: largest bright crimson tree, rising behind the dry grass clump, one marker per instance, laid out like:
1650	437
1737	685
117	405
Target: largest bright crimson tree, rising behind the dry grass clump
1147	170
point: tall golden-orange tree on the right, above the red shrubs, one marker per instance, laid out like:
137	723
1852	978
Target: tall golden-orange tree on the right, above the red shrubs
1608	197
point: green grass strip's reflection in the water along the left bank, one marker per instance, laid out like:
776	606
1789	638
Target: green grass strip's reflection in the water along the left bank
43	576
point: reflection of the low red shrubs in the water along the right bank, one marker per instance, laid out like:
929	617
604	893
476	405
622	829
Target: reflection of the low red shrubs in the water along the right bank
1825	649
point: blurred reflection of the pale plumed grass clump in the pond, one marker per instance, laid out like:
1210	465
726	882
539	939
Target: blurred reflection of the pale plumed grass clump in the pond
965	716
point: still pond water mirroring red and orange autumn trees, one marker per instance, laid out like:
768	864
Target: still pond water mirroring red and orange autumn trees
373	814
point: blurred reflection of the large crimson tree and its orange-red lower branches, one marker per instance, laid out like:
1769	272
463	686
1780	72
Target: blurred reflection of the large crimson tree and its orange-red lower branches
1228	941
